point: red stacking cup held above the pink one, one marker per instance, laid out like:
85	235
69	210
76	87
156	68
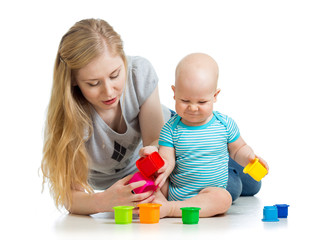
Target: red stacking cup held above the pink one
150	164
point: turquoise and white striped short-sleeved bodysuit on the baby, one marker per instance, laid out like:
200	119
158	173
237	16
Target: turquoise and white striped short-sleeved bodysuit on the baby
201	154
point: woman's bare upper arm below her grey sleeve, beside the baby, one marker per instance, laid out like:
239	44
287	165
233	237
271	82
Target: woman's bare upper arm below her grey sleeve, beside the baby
151	119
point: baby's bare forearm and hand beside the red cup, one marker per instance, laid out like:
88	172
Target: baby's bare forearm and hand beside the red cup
168	154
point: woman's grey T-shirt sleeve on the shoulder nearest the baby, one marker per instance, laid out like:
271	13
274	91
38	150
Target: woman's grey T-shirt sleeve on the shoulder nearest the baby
144	78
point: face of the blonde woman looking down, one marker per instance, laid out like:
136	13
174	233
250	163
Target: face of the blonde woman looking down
102	81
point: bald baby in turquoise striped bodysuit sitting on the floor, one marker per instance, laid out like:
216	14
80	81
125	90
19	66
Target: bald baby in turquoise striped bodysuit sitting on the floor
196	143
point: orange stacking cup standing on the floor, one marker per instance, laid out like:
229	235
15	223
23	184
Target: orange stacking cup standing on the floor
149	212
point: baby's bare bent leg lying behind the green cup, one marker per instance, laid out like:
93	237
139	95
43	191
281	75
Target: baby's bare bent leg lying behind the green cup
211	200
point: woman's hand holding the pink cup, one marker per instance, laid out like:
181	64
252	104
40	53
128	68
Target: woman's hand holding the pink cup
120	194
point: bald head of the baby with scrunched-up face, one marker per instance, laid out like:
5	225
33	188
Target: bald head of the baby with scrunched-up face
195	88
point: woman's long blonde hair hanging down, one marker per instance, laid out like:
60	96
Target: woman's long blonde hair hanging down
68	125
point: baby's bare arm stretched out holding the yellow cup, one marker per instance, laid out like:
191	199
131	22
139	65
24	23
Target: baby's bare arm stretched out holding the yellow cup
242	153
